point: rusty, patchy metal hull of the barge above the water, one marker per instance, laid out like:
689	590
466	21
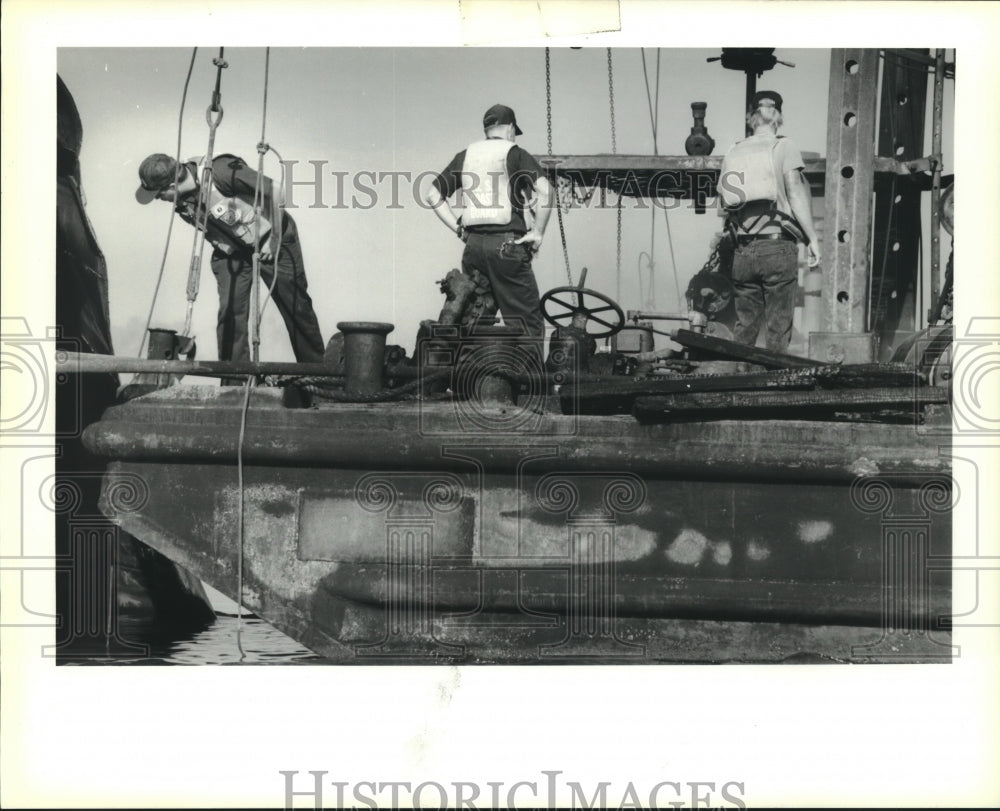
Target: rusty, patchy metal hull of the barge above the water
421	532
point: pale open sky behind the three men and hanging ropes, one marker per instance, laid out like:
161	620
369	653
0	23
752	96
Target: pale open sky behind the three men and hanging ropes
399	110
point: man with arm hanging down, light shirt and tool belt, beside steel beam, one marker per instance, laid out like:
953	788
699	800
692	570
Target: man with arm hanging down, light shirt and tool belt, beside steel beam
768	210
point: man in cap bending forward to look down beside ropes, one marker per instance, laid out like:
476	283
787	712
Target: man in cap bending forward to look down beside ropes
233	229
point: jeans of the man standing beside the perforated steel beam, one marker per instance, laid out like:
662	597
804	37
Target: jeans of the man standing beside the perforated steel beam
765	281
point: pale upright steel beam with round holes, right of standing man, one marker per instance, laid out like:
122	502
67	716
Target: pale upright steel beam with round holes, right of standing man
850	150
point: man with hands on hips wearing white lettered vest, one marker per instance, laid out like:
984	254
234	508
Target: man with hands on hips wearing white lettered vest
497	184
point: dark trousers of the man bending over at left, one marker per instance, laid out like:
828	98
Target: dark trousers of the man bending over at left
234	275
